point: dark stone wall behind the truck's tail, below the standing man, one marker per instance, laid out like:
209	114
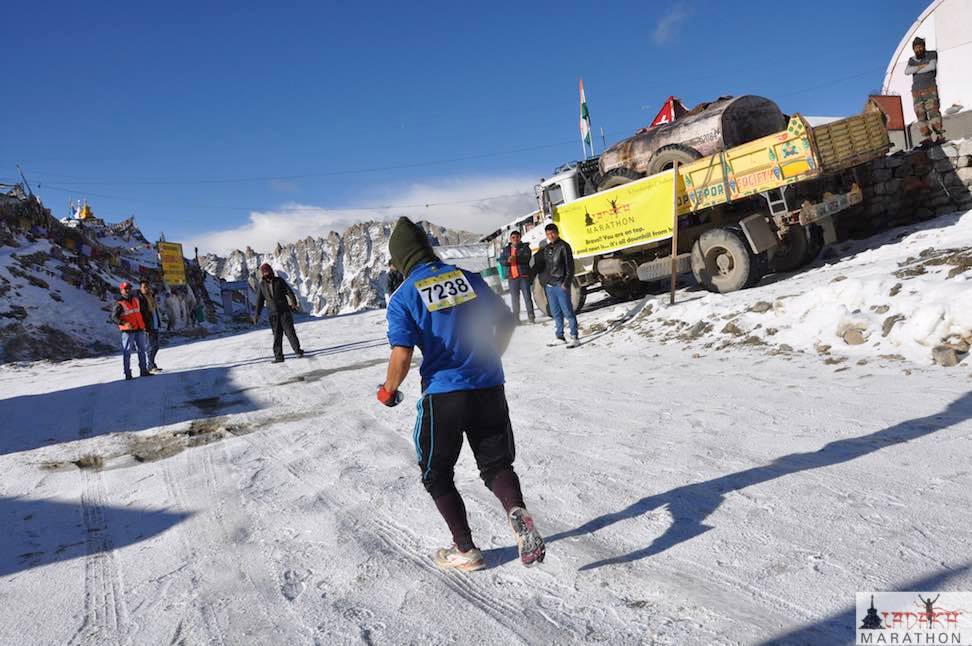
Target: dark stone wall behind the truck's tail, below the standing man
911	186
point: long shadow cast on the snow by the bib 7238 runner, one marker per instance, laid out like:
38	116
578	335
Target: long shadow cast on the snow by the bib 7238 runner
691	504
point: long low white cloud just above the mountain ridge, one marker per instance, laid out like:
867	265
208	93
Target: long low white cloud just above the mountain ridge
455	203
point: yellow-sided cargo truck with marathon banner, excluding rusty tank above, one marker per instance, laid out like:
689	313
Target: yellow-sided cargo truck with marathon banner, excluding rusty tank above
759	207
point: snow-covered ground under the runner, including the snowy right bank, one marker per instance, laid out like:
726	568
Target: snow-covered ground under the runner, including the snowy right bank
688	494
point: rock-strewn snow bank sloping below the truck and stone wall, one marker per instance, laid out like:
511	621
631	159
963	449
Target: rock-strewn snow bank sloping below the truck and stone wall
900	294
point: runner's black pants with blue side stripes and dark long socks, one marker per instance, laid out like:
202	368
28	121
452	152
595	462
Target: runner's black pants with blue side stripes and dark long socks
483	416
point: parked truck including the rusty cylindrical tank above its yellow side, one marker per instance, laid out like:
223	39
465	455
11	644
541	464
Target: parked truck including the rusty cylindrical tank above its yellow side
756	194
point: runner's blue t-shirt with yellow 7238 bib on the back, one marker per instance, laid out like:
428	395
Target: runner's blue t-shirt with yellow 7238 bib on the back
451	315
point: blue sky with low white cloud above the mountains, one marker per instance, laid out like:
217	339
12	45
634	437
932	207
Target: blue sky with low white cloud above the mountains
237	124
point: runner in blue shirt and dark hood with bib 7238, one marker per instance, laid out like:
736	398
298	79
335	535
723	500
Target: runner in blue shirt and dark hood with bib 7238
462	328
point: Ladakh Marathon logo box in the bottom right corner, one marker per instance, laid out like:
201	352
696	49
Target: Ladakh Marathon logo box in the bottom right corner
914	618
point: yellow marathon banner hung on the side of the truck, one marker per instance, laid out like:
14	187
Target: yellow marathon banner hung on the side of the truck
631	214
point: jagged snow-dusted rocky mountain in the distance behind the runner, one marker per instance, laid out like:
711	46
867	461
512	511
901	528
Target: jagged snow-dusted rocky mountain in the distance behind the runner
339	274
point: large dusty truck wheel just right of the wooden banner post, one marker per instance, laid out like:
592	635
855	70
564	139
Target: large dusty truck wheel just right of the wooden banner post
723	262
